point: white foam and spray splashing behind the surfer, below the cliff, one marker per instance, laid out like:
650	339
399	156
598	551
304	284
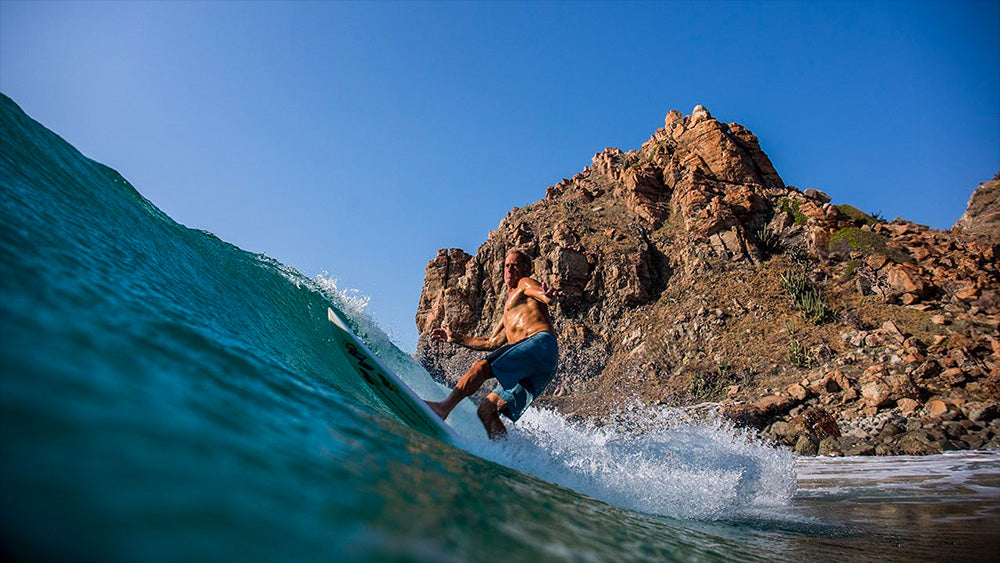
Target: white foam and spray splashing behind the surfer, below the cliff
651	461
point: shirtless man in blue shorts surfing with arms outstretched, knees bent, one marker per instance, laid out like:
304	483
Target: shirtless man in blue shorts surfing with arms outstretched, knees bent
524	366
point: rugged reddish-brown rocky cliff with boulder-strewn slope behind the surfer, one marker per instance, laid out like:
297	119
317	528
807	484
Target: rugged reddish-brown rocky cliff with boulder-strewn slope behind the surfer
693	274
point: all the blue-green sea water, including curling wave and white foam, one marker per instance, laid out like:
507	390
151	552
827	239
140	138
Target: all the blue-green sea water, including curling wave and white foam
166	396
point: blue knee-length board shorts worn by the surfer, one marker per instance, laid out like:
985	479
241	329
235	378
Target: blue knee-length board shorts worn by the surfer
523	370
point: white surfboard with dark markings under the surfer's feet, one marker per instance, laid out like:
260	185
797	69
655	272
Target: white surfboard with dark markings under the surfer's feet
387	386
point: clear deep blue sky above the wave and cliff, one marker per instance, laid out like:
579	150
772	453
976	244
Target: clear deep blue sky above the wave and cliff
359	138
